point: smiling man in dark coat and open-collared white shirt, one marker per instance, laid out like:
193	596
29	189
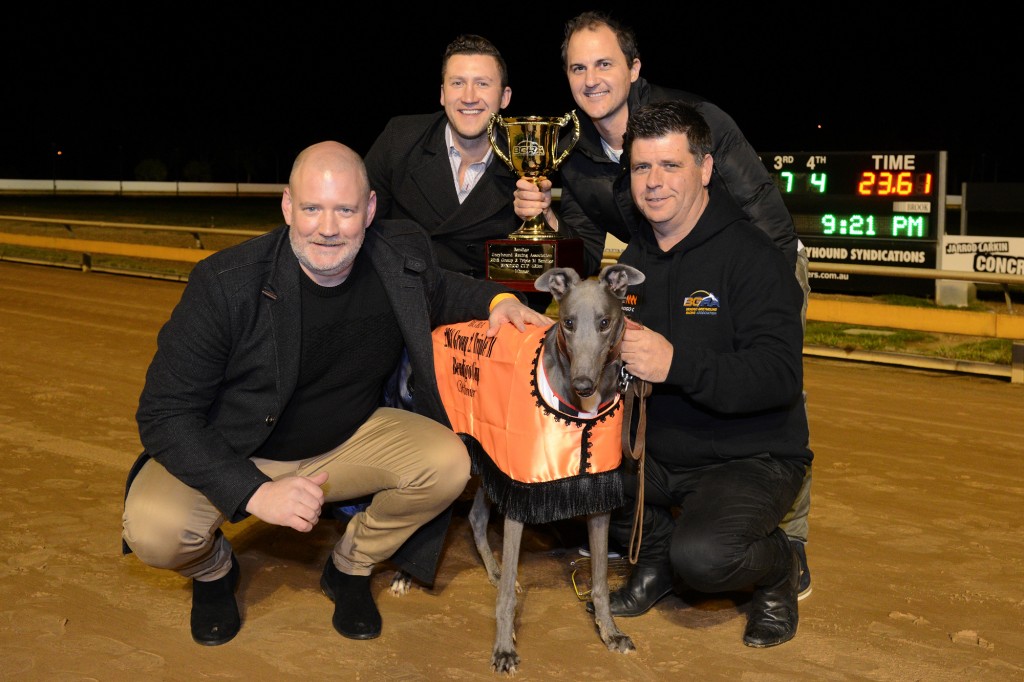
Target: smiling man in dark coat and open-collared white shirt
439	169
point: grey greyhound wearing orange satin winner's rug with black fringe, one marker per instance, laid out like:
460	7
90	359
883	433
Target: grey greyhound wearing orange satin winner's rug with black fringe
554	452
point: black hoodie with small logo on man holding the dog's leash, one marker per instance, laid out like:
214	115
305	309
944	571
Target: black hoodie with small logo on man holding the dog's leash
729	303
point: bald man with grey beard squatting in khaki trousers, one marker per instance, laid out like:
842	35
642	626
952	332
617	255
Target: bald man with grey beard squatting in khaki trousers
265	399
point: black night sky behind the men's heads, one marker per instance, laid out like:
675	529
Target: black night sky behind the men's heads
227	92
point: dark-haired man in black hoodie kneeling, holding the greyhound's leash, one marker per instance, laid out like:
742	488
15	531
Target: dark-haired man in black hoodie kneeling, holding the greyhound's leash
721	343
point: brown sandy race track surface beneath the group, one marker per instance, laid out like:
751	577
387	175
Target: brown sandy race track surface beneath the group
917	545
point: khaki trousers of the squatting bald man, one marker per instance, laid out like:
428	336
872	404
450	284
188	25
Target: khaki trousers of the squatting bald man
413	466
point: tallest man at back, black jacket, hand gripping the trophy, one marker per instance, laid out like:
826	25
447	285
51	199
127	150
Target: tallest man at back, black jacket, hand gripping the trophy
603	65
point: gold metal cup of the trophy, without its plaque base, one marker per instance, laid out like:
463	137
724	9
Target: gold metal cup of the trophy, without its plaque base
533	154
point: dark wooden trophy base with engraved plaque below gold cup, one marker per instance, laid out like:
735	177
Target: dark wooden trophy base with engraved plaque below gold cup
517	264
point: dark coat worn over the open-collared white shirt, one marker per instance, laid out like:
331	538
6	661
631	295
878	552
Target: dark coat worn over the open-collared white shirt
410	170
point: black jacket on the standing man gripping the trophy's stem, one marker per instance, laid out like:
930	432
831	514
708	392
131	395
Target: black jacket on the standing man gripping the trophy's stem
596	195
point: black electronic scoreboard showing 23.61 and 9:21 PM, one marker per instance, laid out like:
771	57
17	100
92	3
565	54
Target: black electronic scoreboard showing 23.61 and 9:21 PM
867	208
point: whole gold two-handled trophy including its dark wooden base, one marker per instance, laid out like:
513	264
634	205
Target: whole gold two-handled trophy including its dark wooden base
535	247
